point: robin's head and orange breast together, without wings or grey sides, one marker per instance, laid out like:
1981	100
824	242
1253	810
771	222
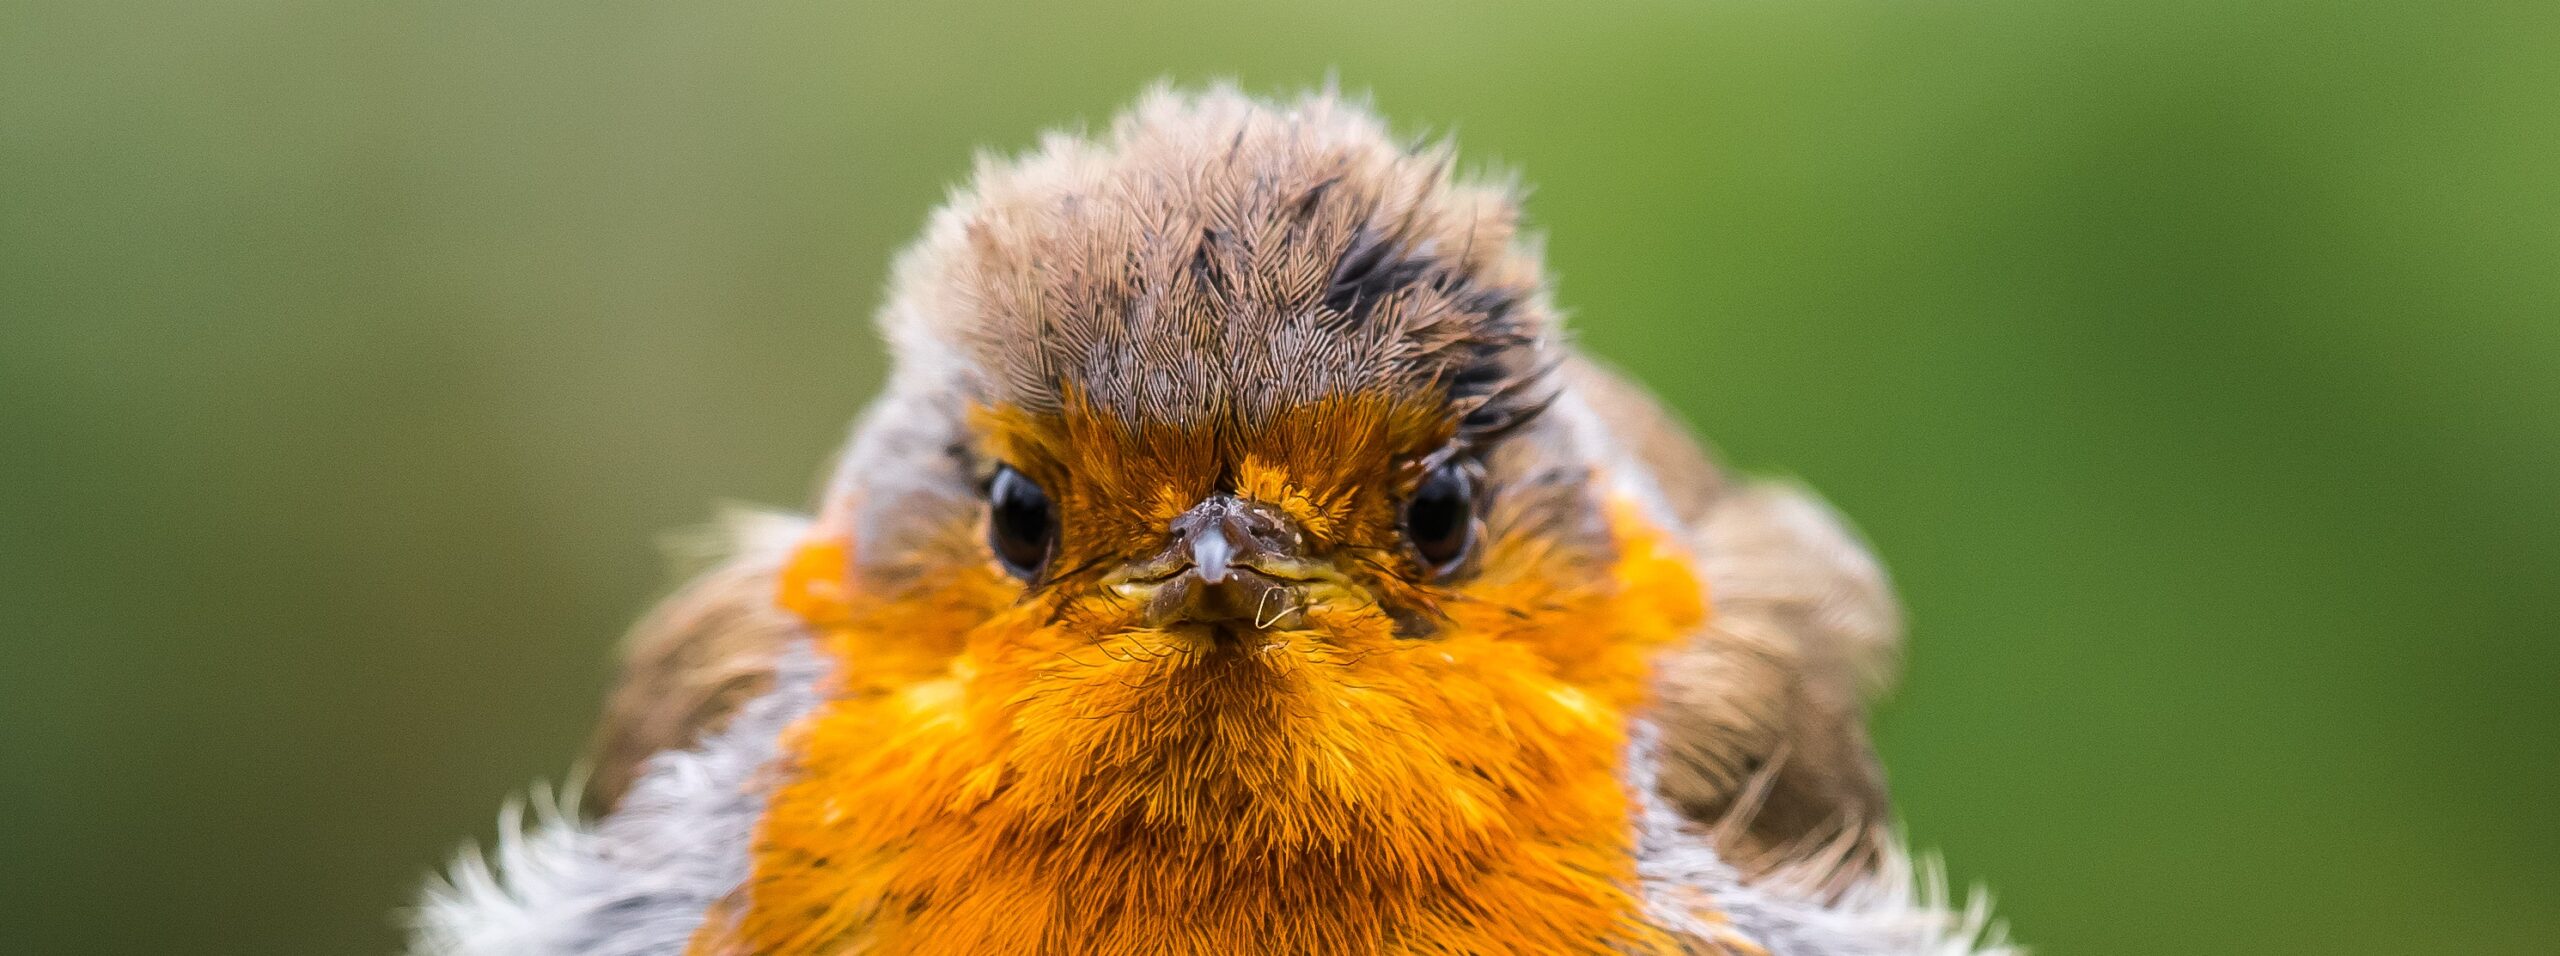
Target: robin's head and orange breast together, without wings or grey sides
1215	578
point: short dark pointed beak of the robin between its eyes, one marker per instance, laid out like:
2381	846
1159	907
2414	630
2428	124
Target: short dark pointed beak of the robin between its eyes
1228	563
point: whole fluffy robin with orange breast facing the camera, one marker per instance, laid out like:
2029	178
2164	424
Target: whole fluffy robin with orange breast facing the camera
1243	560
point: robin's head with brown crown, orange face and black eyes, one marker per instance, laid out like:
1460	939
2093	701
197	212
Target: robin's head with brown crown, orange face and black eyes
1240	399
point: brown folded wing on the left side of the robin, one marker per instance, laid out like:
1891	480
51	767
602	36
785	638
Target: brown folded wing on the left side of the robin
698	657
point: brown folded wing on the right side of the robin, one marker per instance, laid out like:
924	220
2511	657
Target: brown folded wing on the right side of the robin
1765	711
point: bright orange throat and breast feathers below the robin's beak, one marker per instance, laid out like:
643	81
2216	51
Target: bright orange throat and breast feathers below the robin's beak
1335	793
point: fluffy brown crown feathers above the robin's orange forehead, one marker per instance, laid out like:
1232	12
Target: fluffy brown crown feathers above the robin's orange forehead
1225	258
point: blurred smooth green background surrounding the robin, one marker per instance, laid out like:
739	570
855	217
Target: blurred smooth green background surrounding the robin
2195	365
